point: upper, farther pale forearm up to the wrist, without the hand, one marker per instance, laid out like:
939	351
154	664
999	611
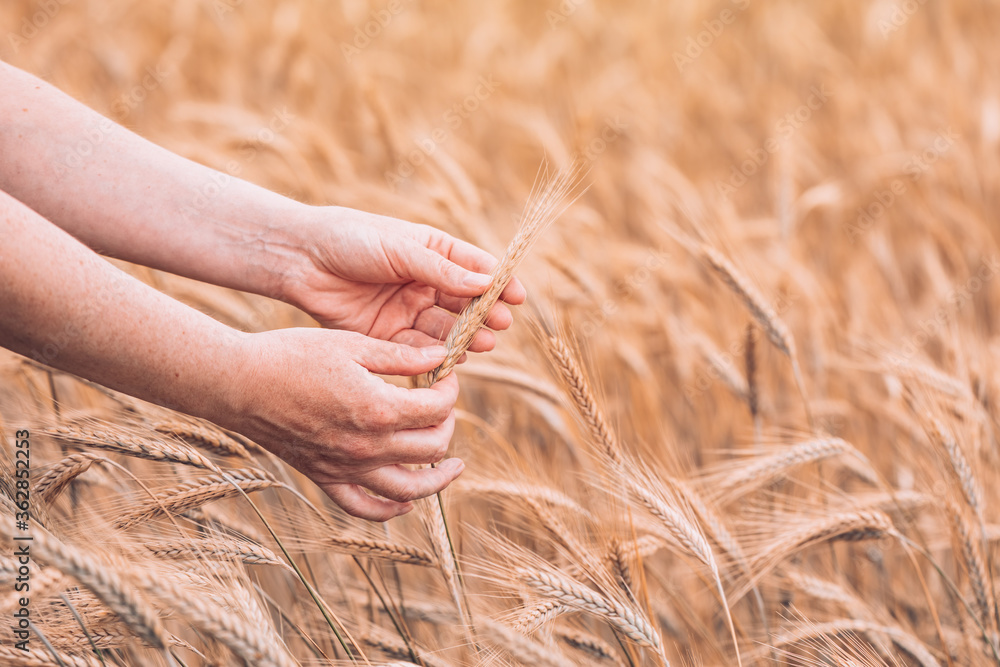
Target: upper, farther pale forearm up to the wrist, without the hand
126	197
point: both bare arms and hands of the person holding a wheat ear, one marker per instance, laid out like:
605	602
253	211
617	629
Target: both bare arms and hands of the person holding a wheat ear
74	184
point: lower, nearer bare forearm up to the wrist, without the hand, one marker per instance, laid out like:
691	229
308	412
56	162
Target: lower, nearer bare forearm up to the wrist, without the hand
63	305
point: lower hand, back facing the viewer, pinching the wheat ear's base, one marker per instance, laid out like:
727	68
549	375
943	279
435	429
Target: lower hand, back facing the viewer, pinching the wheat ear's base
312	398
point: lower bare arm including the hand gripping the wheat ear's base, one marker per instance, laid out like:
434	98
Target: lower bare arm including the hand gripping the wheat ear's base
309	395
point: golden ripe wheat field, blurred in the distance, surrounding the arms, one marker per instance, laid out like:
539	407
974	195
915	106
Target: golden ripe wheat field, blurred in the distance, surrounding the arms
748	417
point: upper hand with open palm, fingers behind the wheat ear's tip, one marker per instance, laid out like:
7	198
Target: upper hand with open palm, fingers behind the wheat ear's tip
391	279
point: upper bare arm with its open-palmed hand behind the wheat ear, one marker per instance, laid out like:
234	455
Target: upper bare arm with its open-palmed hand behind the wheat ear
126	197
